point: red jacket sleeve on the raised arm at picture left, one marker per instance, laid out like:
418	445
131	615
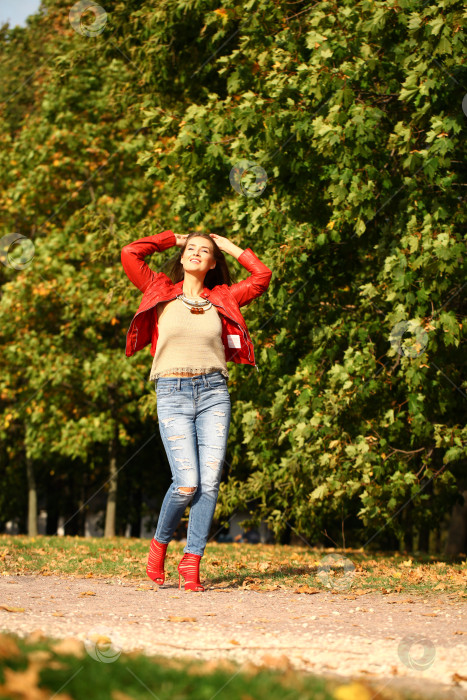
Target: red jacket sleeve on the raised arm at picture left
133	255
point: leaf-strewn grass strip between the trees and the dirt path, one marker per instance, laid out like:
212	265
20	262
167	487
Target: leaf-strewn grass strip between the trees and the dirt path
258	567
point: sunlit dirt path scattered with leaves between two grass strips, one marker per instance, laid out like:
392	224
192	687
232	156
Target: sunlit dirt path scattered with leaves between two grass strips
337	635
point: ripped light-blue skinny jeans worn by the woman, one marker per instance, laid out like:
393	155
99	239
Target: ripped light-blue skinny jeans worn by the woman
194	420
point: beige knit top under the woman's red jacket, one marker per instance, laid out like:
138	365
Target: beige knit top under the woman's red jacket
188	342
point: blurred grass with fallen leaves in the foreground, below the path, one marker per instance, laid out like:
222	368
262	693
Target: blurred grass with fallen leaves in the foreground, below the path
43	667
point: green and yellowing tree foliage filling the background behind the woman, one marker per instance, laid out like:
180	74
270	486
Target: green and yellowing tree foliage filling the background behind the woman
354	111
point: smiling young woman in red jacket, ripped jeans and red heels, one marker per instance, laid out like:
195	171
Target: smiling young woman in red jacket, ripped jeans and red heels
193	321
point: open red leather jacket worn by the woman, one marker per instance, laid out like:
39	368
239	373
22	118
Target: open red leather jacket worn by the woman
157	286
